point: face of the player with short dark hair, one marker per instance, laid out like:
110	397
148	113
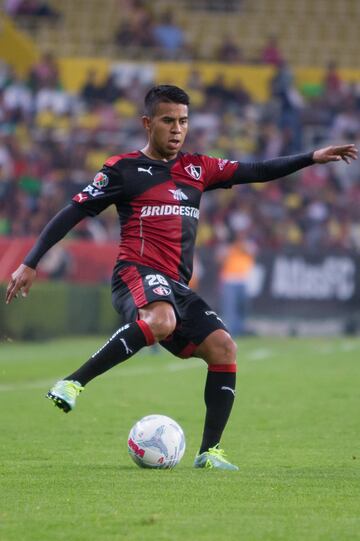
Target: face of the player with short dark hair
167	129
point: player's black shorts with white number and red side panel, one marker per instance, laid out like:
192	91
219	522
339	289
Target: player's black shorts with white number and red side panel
134	286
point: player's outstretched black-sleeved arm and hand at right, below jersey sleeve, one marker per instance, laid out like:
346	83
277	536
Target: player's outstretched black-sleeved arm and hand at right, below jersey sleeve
283	166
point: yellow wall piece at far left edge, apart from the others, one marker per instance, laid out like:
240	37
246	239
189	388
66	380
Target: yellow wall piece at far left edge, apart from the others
16	48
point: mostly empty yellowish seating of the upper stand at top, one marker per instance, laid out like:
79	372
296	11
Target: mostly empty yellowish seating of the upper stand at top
328	28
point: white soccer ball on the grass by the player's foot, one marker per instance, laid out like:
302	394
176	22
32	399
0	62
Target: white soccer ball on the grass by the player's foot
156	441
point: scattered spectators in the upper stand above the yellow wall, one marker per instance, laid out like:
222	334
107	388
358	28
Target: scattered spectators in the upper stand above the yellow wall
144	32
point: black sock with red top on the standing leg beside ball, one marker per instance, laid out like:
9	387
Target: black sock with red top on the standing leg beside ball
219	398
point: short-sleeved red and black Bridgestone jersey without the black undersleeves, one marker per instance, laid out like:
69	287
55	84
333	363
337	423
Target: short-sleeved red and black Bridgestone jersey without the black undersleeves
158	205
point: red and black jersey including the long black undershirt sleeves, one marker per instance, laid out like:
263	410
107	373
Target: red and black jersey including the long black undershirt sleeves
158	204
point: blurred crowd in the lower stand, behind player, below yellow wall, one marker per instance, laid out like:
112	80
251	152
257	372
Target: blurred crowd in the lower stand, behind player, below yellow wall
52	143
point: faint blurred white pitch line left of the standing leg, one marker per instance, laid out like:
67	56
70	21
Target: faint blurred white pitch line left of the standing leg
127	371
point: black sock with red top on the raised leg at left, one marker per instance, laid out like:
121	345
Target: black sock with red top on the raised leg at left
122	345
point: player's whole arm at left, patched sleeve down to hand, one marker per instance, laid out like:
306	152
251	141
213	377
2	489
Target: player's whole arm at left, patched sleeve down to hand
105	190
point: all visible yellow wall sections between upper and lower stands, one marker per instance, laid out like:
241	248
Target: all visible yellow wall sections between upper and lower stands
20	51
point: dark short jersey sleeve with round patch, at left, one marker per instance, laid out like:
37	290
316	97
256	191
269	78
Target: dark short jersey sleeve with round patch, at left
106	189
